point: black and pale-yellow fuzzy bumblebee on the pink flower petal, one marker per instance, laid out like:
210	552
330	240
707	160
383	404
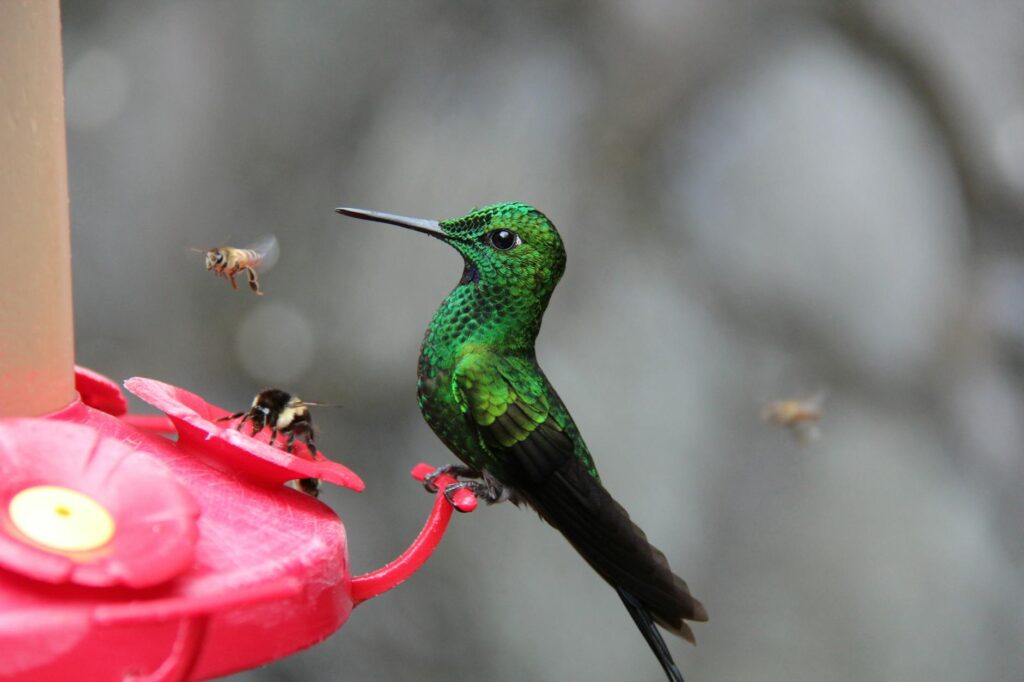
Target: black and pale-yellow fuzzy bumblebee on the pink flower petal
285	414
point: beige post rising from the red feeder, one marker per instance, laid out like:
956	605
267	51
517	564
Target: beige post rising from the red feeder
37	352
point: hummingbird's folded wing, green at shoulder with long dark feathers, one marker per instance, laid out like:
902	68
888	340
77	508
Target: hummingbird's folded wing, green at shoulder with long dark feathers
537	451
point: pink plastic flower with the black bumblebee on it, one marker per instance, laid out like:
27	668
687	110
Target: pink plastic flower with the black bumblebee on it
237	452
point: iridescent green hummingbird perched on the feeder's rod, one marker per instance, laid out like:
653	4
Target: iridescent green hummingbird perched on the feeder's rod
483	393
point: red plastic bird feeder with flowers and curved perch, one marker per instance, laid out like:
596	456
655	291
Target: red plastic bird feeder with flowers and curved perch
125	556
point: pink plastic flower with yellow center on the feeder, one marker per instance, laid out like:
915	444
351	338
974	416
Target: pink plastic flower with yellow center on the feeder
76	507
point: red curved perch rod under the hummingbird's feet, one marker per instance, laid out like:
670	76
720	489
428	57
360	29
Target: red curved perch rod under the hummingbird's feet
378	582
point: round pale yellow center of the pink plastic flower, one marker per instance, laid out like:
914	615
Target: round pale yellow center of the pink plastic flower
61	519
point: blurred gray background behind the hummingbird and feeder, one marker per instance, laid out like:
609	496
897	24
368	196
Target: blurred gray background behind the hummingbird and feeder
759	200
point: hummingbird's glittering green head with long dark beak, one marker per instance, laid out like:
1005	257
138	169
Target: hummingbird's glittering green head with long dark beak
510	246
